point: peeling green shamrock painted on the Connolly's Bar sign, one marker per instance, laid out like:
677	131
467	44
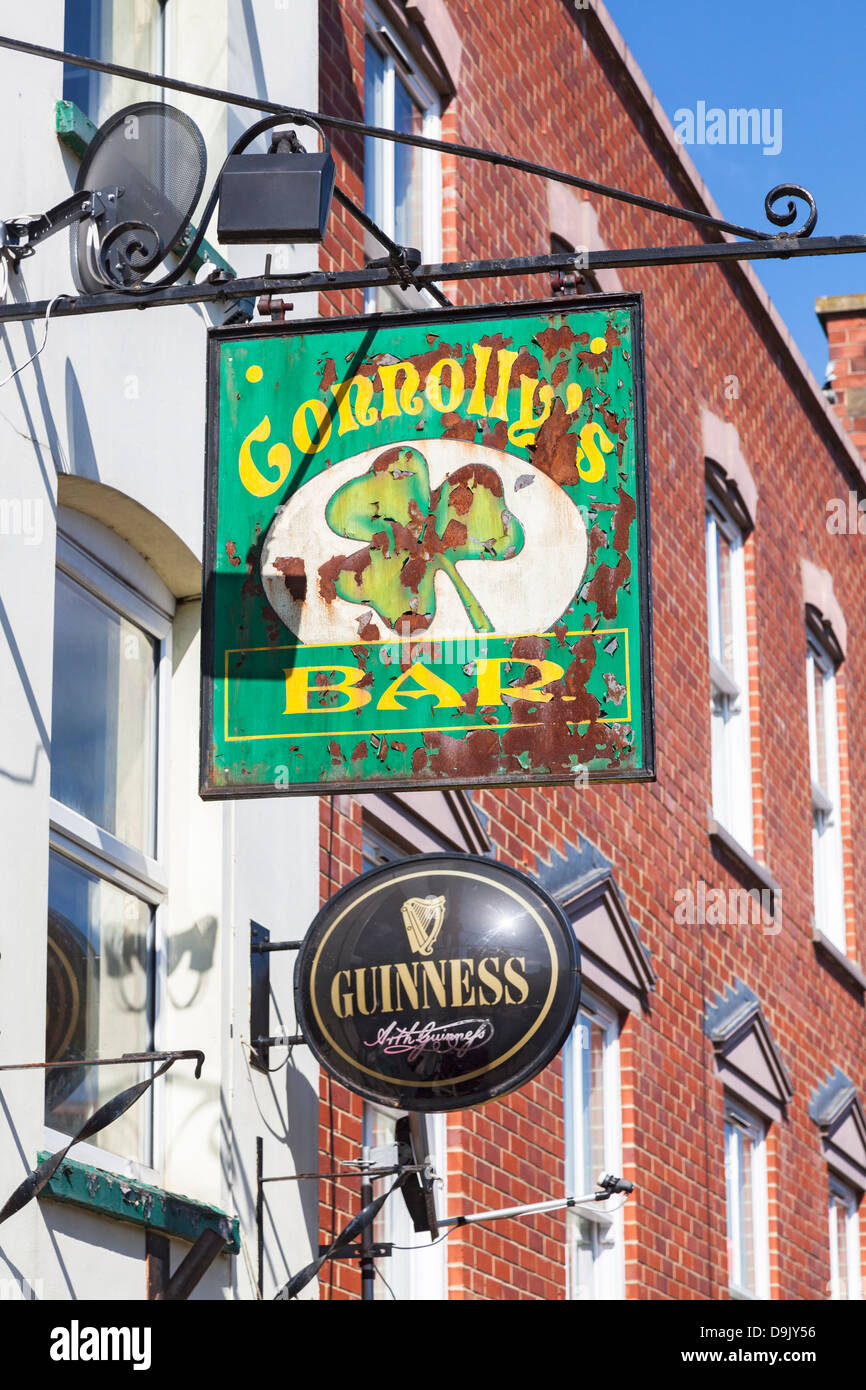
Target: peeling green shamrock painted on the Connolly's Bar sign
412	537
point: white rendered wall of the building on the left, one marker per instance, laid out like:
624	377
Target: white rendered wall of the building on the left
119	400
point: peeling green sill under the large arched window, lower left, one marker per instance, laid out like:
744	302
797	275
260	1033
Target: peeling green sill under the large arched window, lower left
123	1199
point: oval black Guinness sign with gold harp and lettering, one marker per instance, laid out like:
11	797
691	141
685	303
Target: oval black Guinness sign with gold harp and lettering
439	982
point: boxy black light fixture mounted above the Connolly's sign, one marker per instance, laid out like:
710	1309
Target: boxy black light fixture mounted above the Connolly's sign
281	197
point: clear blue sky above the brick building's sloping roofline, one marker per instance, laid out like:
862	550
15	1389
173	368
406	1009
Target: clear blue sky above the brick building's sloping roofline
804	58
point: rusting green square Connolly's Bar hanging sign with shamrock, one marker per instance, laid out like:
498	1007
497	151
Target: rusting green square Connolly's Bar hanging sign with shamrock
427	551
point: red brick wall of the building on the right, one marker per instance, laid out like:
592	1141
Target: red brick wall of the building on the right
557	84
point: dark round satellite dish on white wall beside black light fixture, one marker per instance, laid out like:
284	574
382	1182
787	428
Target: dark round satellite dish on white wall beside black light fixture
147	170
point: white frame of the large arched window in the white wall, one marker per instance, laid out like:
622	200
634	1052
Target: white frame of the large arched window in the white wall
79	840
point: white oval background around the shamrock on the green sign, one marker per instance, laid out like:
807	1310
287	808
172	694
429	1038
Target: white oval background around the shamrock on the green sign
525	594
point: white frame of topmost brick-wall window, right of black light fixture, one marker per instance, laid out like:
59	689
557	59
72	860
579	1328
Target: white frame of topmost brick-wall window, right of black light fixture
427	99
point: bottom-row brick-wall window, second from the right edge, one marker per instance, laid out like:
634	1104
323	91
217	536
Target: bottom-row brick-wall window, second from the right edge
746	1179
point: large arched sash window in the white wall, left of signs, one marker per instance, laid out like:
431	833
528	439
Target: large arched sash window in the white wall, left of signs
106	881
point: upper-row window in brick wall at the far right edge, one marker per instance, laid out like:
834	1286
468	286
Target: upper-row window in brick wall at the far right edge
826	800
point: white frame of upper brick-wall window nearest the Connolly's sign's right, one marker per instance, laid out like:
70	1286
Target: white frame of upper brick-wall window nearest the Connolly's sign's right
729	683
